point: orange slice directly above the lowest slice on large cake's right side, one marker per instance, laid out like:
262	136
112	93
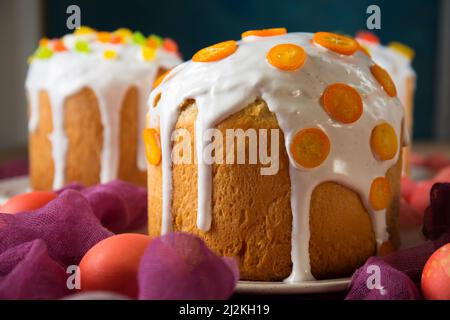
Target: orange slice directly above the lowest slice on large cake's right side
384	142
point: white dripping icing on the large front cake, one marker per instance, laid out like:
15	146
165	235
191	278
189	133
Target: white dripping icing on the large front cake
226	86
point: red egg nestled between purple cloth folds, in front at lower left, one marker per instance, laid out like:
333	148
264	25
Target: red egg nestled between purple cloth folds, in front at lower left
113	263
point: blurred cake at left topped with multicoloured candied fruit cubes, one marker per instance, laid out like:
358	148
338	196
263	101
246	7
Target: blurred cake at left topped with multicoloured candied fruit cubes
87	102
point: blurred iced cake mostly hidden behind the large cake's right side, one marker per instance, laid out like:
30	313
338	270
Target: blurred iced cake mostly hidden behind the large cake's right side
396	58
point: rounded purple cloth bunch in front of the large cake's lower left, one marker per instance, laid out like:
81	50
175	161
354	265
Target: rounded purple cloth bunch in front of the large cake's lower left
179	266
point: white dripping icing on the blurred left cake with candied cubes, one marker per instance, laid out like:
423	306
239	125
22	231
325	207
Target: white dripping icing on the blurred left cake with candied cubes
68	72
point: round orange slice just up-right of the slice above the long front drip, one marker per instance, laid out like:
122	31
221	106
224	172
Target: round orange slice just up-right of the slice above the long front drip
342	102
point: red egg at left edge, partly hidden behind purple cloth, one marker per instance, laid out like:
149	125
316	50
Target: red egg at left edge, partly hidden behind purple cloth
28	201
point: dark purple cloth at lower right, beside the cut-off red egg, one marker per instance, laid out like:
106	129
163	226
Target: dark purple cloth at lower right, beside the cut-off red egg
400	272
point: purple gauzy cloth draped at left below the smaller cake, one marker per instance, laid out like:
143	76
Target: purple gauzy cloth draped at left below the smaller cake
60	233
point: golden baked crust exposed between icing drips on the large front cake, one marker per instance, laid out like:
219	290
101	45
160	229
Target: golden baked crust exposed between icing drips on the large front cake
251	216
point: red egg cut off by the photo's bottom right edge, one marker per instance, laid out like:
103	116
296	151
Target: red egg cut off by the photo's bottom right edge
436	275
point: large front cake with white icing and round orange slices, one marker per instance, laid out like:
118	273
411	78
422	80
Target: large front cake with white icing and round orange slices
333	120
